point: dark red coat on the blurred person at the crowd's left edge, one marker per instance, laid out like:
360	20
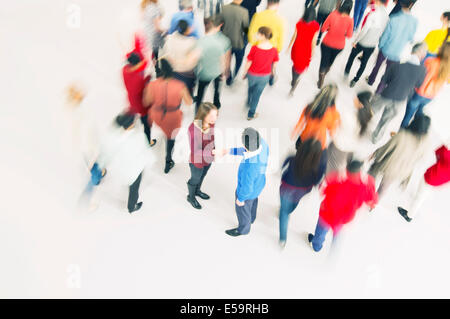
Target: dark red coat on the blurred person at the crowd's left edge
135	84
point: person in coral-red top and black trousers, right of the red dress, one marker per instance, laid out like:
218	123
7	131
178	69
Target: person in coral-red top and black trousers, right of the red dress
339	26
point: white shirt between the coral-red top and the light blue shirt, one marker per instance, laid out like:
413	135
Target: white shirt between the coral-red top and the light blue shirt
376	22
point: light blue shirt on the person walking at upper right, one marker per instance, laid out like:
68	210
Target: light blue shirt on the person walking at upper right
399	32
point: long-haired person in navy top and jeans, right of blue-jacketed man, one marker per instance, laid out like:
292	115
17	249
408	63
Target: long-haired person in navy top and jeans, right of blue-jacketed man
301	173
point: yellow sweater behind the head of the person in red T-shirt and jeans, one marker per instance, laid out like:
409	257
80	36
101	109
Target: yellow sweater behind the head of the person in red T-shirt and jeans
268	18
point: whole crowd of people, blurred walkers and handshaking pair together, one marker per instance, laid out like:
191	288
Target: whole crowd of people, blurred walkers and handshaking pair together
165	66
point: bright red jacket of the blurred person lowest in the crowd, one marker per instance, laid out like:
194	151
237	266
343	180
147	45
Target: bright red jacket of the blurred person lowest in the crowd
344	196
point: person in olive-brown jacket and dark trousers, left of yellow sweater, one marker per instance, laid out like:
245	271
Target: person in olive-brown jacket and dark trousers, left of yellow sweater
236	22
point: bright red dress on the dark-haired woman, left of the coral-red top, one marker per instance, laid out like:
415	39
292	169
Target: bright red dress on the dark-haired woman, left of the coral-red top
301	50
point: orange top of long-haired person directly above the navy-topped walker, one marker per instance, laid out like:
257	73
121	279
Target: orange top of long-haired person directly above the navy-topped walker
317	128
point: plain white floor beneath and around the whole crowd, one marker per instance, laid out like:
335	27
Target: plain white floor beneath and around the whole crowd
169	250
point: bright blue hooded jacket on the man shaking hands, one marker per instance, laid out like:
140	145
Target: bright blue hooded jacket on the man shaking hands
252	172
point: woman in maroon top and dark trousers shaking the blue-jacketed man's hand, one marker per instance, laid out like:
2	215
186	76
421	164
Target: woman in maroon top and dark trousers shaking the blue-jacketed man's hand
201	133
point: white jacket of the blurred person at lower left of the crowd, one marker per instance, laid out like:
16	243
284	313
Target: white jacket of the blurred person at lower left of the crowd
125	154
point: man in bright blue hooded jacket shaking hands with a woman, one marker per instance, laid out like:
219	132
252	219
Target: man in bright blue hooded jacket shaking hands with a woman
251	179
